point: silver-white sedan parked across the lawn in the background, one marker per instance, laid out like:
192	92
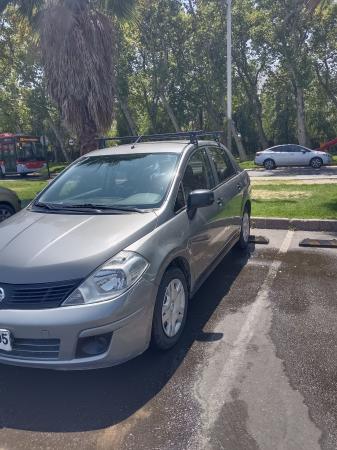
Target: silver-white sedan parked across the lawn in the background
291	155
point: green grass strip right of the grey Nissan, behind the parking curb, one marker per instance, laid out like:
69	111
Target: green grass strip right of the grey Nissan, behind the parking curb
294	200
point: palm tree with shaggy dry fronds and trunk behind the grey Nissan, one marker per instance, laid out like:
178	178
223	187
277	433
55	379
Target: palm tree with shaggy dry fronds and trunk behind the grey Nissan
76	39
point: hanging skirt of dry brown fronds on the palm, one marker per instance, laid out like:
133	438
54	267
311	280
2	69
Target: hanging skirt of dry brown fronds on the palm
77	54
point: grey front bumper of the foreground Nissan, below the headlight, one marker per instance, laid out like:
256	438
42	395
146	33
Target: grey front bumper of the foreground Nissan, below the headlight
128	318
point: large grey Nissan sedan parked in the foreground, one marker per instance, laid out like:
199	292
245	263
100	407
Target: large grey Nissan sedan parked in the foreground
104	261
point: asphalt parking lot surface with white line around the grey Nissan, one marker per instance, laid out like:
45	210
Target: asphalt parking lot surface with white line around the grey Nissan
256	369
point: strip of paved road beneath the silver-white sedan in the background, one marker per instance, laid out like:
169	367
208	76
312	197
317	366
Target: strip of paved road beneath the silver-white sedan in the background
296	173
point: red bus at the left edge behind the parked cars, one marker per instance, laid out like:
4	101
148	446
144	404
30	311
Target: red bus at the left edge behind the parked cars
20	154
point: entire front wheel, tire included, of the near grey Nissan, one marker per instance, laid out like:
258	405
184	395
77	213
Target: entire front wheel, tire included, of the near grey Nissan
164	336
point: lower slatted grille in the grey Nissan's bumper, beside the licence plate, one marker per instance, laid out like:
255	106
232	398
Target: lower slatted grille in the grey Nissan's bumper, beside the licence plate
33	349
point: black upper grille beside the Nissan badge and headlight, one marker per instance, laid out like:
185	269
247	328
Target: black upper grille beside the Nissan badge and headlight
36	296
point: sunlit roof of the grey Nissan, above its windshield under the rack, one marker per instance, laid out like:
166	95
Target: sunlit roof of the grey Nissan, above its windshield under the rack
149	147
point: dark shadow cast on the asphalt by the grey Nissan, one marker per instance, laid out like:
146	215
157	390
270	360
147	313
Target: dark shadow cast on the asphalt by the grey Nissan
52	401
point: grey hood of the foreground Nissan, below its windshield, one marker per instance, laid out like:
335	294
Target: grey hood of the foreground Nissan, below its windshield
39	247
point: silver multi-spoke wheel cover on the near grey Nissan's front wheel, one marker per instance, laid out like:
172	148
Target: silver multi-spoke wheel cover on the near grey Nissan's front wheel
173	309
